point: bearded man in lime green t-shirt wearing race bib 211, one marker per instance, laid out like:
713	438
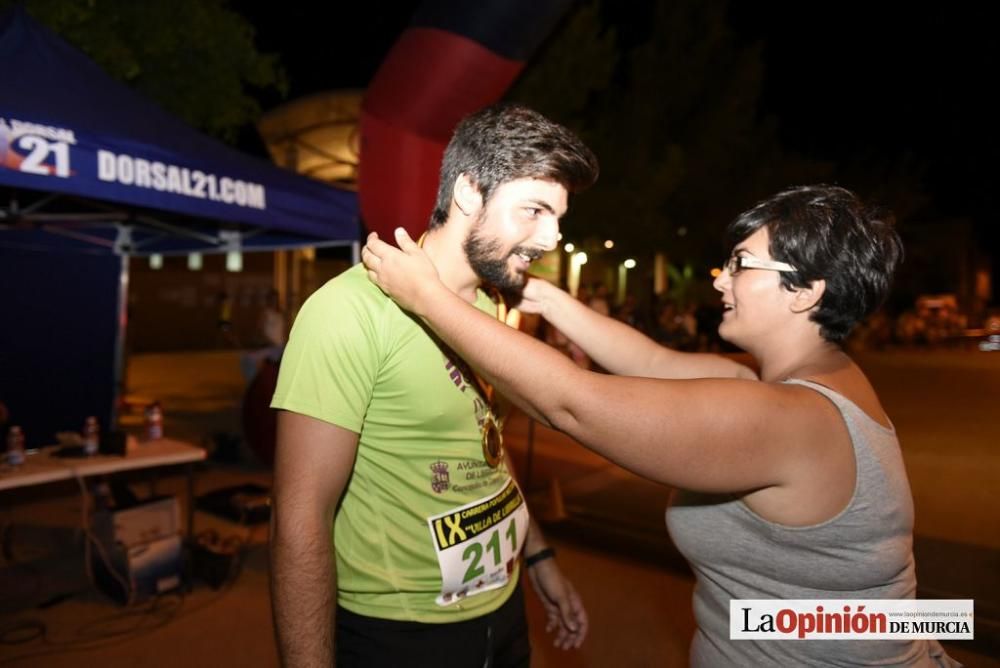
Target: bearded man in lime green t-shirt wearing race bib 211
394	506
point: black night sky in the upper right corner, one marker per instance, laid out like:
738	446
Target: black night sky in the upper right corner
849	78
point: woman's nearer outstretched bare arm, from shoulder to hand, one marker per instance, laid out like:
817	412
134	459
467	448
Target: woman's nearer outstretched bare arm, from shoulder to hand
714	435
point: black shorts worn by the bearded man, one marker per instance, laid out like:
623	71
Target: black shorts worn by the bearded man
498	639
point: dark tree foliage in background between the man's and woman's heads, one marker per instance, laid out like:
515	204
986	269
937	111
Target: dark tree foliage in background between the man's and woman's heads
673	116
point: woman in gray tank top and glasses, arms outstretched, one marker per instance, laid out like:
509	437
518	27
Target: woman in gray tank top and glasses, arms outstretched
793	484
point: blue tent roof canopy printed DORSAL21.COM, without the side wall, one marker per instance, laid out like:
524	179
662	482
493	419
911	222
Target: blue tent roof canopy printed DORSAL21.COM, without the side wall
69	130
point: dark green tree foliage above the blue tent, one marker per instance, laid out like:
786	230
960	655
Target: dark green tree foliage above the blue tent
196	58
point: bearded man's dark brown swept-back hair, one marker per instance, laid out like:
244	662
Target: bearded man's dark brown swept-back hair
506	142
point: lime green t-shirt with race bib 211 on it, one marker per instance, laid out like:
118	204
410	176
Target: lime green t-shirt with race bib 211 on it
426	531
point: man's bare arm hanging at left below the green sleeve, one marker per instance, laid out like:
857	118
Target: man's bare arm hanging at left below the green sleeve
313	463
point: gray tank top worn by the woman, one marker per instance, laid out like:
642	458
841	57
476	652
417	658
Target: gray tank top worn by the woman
865	551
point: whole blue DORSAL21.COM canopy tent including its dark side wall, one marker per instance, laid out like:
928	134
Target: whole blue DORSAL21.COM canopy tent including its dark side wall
91	173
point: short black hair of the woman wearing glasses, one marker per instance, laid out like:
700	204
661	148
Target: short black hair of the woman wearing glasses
828	234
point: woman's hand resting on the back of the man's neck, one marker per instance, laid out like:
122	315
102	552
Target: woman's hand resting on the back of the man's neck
406	274
